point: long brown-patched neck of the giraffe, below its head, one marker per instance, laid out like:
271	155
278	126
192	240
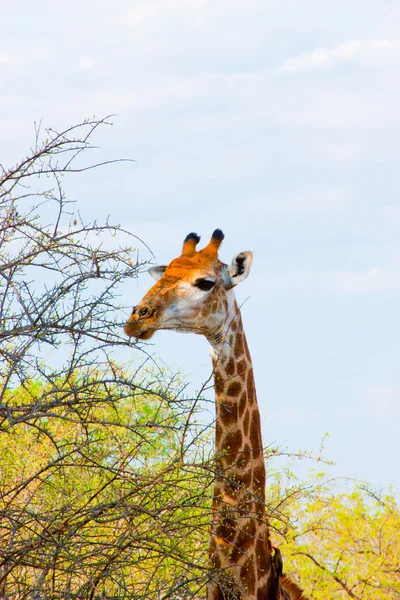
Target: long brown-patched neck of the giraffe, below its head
240	549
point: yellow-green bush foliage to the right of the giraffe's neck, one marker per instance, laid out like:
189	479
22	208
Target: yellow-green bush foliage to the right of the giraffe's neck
341	545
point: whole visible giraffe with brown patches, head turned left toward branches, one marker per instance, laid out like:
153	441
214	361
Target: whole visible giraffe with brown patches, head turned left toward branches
194	293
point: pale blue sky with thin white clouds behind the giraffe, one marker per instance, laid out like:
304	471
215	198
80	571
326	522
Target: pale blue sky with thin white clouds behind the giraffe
276	121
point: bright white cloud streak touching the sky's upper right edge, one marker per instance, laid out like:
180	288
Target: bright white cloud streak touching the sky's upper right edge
365	51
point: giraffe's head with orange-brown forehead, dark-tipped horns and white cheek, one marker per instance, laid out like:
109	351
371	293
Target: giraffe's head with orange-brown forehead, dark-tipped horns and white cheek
192	294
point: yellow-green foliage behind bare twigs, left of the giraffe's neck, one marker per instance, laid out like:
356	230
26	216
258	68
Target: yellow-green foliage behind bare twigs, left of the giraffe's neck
104	497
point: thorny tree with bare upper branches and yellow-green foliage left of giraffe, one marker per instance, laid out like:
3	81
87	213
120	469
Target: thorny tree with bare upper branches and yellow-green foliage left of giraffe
99	464
